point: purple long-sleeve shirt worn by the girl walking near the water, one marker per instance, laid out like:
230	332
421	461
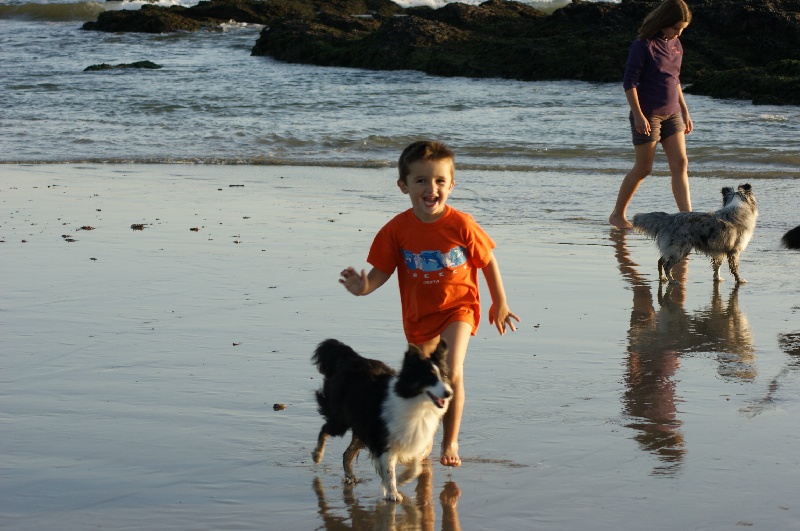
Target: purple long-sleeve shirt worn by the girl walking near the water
654	68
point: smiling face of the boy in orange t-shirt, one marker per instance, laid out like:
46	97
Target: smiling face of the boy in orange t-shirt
428	184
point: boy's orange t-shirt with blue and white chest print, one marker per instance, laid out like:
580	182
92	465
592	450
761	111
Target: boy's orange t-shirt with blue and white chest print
437	269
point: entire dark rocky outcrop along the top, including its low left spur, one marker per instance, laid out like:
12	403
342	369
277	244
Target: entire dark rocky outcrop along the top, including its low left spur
729	45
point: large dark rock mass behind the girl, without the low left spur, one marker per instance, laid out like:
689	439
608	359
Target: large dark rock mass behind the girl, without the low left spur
583	40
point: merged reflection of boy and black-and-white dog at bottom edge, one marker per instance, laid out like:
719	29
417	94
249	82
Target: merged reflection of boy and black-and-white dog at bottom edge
412	514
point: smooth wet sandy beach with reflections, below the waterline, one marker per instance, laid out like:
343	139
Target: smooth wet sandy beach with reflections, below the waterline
152	315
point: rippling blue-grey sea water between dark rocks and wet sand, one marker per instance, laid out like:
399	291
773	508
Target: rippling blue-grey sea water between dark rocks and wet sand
212	102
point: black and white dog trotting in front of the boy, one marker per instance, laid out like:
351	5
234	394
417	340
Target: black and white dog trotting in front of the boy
395	416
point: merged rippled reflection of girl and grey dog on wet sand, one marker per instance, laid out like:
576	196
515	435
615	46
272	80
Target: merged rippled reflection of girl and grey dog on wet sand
656	340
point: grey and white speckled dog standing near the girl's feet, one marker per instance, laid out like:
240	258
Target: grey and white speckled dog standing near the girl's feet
720	234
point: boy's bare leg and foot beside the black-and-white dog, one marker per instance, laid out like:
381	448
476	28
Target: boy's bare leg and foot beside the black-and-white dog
457	336
